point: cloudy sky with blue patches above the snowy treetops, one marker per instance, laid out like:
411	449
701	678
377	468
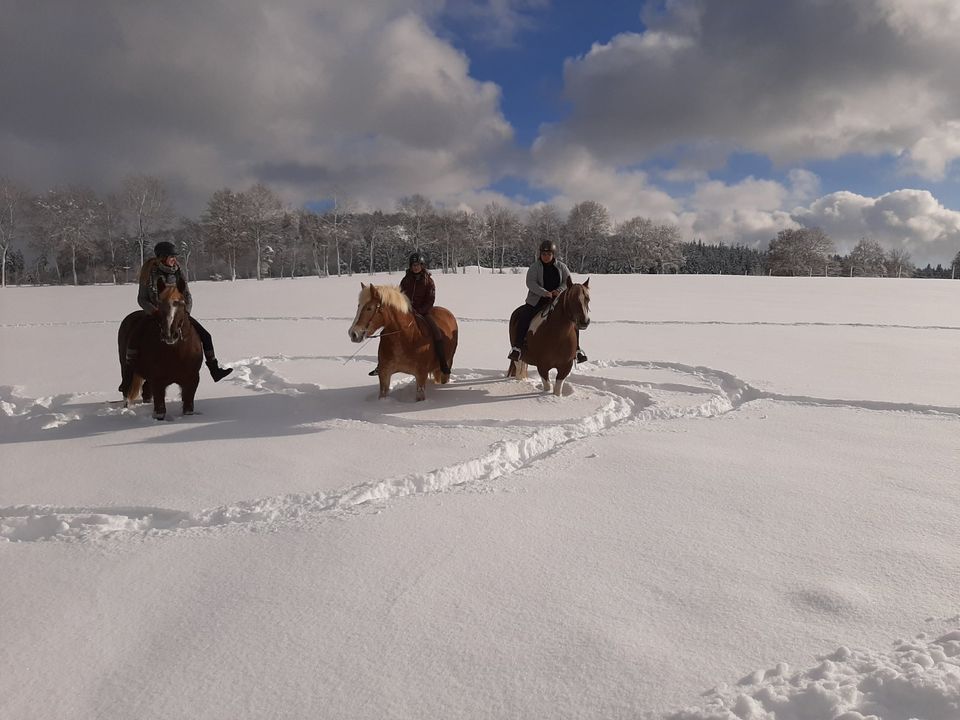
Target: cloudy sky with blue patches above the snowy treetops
733	119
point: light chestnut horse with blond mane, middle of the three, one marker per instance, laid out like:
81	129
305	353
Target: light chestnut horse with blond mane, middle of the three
406	343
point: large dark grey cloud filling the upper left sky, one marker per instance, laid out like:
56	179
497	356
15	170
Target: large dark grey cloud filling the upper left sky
361	94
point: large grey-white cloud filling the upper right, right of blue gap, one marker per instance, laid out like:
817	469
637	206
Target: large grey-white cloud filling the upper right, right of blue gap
794	80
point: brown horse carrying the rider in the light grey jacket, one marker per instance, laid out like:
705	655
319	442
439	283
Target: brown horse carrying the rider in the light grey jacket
553	345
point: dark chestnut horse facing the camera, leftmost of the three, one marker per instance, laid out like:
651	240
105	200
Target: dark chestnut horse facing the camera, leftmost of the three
169	352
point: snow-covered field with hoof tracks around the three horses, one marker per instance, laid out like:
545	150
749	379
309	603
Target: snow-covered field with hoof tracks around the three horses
747	505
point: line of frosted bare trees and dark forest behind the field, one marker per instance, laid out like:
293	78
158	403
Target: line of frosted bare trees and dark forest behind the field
73	235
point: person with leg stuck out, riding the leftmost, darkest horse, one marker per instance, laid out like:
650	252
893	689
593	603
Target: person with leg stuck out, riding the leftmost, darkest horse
165	267
